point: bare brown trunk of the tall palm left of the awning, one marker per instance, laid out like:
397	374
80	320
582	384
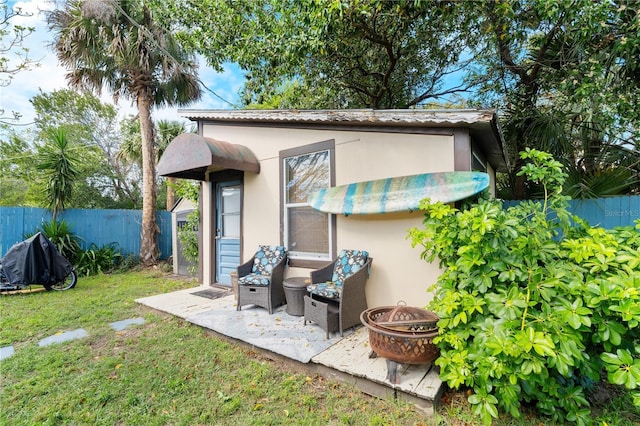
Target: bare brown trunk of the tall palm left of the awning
148	243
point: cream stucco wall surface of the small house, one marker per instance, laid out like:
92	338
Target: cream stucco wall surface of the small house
397	273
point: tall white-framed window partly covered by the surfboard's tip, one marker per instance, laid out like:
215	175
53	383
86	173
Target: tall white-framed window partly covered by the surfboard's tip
308	234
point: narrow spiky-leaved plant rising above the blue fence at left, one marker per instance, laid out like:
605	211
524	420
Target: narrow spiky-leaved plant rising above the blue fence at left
60	169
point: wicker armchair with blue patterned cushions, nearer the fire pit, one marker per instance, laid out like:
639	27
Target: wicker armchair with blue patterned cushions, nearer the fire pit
336	297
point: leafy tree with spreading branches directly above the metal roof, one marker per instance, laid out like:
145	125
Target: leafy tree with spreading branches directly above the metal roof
375	54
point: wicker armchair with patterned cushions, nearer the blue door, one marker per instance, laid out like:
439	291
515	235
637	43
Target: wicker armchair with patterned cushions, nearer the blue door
260	278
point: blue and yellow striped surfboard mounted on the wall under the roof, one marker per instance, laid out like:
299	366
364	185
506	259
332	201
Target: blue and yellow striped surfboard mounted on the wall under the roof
398	194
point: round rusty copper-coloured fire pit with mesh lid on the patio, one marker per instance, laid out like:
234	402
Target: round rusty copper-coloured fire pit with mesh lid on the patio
401	334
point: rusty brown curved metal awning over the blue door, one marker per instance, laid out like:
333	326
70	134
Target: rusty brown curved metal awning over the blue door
191	156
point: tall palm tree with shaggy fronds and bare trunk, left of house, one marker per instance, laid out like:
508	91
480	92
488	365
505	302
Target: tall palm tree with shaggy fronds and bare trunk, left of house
116	44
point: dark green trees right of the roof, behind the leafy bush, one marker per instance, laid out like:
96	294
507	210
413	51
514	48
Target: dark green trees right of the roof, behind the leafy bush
565	78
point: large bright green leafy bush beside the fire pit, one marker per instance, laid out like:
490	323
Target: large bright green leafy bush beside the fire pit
534	303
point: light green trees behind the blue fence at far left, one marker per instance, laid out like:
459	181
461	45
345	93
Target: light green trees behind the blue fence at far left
94	133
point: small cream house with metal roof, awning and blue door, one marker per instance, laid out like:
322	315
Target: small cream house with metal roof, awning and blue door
257	169
